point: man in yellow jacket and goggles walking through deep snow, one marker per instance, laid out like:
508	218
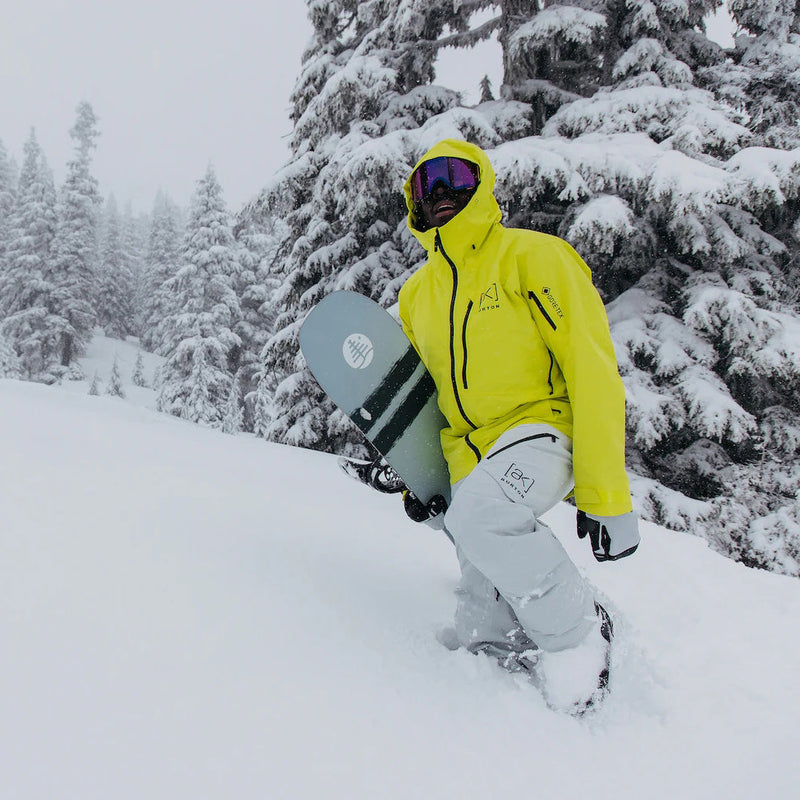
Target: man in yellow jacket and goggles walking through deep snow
516	338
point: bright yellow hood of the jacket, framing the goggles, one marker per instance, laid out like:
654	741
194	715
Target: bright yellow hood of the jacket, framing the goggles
472	224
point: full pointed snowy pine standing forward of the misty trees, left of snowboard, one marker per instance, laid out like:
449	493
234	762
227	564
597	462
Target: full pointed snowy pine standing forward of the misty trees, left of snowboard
202	350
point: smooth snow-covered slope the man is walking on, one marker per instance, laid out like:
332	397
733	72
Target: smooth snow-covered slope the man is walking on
185	614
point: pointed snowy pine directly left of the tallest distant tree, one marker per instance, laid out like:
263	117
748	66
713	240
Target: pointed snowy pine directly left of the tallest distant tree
27	290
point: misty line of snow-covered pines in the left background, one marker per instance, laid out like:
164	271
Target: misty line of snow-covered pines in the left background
188	288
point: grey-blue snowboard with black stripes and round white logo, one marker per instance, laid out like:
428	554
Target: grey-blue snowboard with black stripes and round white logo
364	362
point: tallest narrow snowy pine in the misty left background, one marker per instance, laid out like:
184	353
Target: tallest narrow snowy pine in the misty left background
75	245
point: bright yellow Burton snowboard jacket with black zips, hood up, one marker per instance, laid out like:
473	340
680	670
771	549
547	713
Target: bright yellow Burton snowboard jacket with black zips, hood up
512	330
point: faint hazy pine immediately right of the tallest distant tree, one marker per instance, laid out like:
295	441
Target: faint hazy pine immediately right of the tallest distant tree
114	296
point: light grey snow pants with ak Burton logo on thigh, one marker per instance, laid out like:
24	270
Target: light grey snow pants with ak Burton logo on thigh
513	568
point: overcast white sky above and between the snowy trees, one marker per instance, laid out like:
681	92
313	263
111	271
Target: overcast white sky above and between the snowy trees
175	85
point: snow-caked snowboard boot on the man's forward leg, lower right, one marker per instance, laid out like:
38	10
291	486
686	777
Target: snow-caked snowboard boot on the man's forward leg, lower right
576	680
